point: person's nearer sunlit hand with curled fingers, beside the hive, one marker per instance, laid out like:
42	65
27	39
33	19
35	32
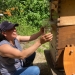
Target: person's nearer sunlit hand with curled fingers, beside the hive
45	38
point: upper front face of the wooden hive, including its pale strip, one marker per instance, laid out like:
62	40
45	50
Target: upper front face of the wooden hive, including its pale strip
67	13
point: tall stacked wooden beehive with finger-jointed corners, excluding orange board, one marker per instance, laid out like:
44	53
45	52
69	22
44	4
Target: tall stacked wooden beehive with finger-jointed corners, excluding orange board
63	24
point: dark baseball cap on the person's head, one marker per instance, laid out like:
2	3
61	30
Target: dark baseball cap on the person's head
4	26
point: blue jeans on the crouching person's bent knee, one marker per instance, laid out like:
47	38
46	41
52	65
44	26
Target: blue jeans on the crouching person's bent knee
32	70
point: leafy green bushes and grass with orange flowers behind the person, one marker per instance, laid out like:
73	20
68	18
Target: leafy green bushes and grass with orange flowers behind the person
28	13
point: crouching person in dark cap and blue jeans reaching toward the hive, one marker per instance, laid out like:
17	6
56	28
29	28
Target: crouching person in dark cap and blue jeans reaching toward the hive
11	53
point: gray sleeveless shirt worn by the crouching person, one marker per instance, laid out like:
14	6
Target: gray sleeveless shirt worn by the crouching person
9	65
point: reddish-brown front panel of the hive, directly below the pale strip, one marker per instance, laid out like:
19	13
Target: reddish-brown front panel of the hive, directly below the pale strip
66	35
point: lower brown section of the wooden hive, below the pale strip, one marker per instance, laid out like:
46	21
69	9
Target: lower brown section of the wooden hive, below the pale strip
62	36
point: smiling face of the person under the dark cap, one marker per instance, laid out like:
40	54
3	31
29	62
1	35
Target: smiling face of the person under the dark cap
10	34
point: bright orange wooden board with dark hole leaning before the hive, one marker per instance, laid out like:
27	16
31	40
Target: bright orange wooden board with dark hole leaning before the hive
69	60
